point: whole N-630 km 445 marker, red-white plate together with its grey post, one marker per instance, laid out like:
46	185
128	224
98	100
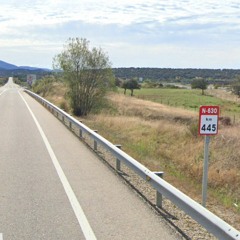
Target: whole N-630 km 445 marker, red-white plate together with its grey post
208	125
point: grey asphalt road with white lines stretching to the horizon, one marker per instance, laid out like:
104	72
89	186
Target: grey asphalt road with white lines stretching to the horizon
53	187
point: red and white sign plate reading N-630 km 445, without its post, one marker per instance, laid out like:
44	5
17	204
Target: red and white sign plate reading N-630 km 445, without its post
208	120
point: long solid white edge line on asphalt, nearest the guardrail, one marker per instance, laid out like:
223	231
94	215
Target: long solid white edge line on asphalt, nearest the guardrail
82	219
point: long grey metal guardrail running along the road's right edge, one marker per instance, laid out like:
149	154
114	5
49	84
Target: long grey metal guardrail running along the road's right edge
207	219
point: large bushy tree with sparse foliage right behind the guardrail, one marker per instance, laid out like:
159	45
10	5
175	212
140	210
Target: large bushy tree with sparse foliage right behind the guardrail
87	73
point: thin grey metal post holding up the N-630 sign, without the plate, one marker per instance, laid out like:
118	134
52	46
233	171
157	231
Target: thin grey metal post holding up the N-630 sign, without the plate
205	171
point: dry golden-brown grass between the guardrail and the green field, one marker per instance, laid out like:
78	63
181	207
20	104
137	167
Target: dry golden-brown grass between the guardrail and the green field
159	137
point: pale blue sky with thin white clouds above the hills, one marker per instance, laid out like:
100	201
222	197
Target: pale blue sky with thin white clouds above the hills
134	33
